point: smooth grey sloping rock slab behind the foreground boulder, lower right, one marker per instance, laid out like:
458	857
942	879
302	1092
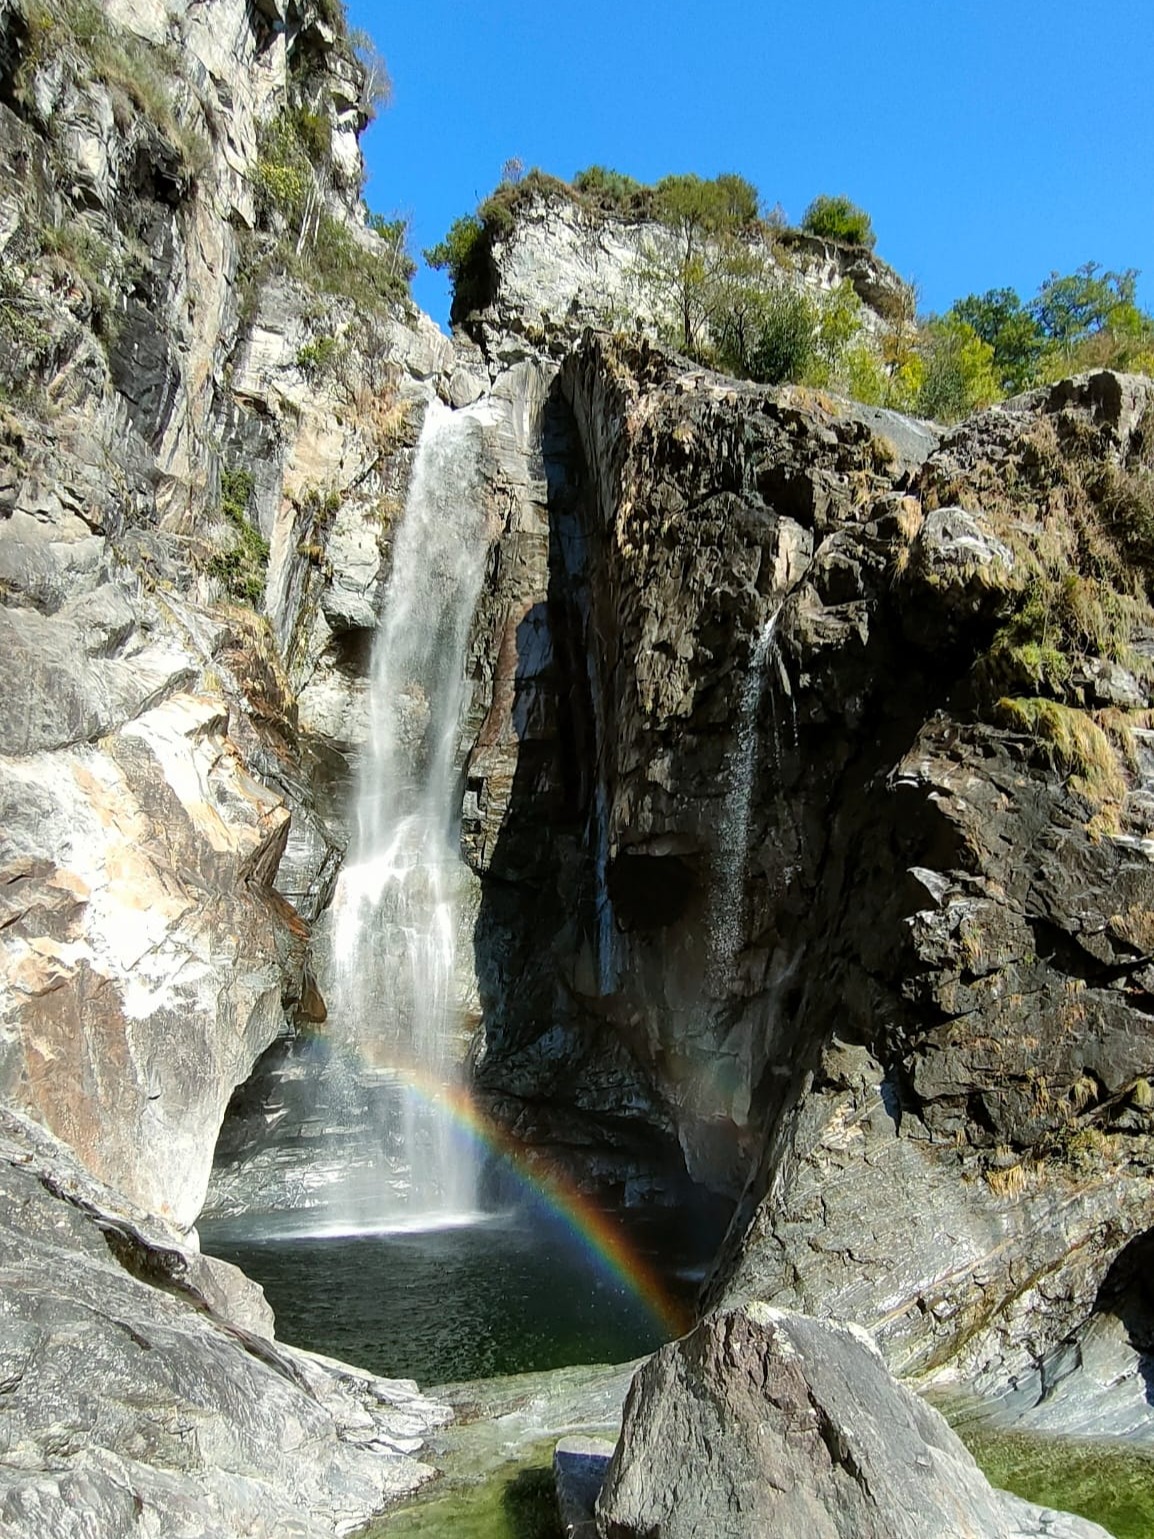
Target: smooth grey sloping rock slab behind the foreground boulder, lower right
884	1230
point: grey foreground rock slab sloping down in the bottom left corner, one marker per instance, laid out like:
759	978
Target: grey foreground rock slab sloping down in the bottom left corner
142	1392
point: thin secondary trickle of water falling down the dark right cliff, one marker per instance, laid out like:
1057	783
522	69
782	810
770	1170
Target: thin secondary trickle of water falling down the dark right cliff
727	920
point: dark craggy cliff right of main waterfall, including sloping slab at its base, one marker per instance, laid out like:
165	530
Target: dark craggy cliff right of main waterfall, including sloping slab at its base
804	860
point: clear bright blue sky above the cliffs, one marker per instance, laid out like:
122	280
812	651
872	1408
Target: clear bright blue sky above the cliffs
992	142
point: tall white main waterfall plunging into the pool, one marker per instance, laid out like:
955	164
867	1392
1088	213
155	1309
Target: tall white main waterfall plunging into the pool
396	909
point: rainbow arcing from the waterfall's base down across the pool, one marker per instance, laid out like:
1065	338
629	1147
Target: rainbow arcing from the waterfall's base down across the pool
593	1230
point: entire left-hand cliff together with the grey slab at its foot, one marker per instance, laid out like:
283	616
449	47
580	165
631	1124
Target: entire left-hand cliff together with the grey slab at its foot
208	381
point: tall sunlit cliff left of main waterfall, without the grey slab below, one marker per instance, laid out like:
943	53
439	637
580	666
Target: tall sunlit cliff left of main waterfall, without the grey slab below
204	415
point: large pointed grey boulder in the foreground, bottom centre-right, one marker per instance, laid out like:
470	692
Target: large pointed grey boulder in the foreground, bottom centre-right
764	1423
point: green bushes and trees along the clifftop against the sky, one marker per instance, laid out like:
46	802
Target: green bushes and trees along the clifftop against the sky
727	284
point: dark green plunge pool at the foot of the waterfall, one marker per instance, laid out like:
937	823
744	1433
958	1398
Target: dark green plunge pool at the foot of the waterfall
505	1295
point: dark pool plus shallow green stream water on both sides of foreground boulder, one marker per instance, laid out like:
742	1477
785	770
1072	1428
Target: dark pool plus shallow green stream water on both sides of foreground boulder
515	1295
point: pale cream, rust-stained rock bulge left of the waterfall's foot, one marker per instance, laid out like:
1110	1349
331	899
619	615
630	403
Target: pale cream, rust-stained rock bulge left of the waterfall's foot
127	1020
